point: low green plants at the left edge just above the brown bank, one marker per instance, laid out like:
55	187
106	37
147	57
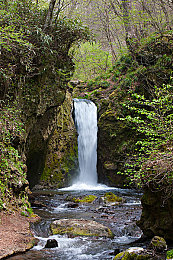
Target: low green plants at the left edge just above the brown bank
12	167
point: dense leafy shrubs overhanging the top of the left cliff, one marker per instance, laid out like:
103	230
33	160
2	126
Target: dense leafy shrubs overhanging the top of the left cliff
28	51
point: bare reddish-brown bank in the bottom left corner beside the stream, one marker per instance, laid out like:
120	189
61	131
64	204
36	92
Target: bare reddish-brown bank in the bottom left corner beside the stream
16	236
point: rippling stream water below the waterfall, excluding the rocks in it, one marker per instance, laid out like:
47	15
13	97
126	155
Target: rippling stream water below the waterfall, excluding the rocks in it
120	219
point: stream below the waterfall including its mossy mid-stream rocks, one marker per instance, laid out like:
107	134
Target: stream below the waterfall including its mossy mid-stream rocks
111	224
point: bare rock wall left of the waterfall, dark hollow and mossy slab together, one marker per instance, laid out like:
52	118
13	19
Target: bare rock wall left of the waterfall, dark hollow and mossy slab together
50	129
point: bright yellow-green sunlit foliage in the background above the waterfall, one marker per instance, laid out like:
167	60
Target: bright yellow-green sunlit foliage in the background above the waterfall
90	61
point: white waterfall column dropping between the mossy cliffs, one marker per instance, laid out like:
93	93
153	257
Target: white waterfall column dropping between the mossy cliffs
86	123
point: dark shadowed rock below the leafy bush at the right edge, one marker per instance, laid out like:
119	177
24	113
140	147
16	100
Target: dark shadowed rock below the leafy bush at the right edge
157	216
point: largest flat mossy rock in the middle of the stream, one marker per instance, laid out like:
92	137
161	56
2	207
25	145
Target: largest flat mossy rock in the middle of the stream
80	227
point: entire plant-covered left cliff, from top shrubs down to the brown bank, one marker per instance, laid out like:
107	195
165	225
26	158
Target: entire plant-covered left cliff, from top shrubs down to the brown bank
34	70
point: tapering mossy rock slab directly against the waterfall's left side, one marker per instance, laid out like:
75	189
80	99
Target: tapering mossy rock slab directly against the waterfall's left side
62	151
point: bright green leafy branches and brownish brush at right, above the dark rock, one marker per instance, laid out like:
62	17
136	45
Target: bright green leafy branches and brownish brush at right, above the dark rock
152	120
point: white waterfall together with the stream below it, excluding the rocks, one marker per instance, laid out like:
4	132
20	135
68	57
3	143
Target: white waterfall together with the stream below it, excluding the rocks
55	204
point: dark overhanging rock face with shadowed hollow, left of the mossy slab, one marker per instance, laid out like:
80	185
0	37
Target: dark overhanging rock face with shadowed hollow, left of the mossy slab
40	121
